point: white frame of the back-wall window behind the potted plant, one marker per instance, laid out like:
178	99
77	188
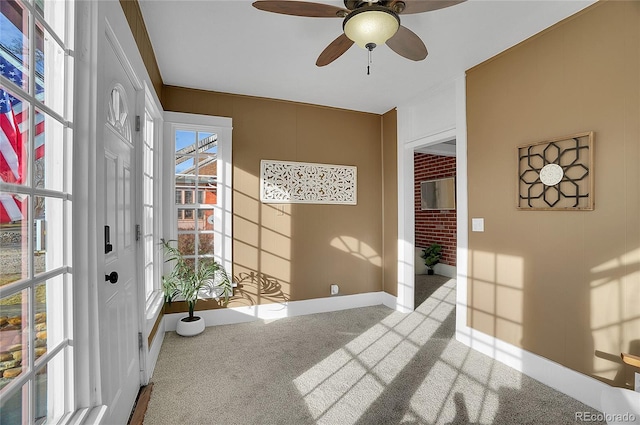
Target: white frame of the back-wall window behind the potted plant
175	121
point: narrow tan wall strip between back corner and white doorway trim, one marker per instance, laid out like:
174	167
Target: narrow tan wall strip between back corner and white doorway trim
390	201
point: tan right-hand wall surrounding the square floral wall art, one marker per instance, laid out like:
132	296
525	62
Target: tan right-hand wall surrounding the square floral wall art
564	285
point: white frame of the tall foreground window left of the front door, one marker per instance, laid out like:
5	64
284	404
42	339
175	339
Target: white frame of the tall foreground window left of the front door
58	359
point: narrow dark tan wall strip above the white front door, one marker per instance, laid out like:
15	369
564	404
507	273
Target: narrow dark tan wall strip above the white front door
132	11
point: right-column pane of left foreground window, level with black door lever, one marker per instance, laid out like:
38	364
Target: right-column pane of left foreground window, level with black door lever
48	234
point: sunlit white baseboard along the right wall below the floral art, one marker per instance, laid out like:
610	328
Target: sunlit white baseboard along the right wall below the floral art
577	385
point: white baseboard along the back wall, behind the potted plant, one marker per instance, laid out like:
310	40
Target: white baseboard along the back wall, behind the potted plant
232	315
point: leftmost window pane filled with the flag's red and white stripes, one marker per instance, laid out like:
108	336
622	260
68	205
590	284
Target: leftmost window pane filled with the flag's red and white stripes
14	158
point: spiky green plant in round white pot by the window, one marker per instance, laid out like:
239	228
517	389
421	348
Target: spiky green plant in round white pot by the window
190	282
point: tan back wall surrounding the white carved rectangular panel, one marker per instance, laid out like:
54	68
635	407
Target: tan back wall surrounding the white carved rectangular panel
296	251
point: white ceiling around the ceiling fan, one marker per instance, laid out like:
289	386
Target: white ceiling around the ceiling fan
229	46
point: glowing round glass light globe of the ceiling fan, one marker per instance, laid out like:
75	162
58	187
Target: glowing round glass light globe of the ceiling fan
371	26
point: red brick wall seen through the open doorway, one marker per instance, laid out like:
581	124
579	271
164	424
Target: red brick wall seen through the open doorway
437	226
